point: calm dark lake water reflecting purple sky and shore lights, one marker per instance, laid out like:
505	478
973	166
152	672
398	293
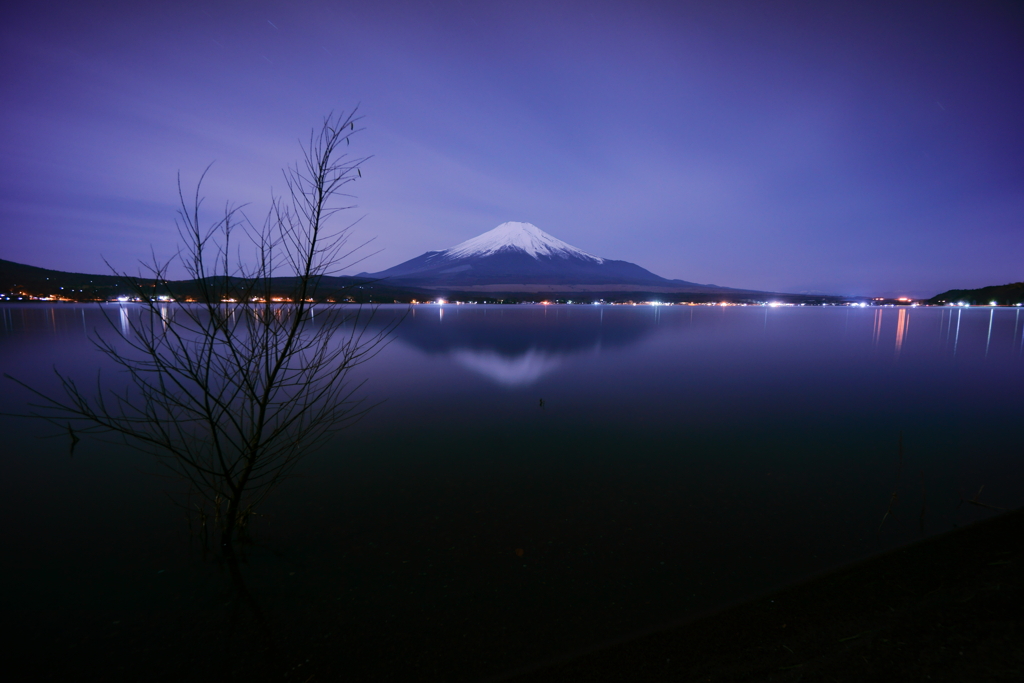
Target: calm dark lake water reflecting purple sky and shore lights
685	458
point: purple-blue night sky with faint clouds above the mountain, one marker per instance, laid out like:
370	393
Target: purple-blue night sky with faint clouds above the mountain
877	149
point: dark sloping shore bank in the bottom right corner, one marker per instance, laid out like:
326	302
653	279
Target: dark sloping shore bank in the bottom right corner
947	609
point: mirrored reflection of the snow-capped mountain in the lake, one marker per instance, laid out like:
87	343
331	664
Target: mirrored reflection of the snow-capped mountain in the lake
520	349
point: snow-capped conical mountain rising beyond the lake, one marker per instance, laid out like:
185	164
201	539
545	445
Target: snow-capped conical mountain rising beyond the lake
518	254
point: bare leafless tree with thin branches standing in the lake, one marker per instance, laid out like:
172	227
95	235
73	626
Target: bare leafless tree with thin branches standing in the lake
232	382
